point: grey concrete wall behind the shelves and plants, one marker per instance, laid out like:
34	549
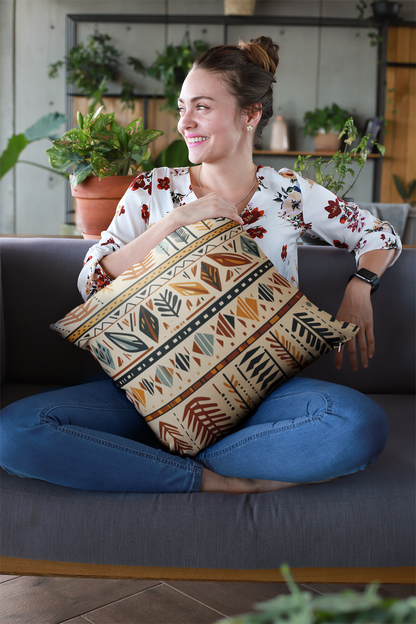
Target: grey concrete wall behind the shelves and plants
318	66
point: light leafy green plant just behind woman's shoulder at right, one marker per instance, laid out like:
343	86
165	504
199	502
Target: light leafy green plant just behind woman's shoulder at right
332	172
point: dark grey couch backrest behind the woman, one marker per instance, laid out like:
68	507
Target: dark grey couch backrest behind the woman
39	286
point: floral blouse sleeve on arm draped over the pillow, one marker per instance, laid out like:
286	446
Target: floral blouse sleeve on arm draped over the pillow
130	220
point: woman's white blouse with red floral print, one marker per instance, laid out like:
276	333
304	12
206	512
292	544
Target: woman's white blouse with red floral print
284	207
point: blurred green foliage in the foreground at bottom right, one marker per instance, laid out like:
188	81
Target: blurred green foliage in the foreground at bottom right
346	607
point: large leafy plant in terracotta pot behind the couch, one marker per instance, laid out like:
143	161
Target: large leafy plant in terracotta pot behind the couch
100	148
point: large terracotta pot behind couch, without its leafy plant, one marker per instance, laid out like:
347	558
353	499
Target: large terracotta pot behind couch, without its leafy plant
97	202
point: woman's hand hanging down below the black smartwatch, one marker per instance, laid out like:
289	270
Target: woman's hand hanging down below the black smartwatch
356	308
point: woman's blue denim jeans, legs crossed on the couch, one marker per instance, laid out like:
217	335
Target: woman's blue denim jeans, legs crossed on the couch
91	437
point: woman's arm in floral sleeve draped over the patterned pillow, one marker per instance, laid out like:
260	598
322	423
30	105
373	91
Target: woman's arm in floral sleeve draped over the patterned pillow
144	217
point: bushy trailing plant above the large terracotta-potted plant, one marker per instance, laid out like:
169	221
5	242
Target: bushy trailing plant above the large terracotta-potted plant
89	67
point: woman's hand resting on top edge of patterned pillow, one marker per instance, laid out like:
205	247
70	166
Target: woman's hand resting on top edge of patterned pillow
210	206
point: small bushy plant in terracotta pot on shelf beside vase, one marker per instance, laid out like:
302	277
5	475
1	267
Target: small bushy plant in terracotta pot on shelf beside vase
324	125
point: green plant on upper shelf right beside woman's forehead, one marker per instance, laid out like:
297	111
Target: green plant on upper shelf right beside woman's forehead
171	67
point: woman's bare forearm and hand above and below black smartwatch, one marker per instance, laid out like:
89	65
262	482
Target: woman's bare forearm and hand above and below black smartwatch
356	307
